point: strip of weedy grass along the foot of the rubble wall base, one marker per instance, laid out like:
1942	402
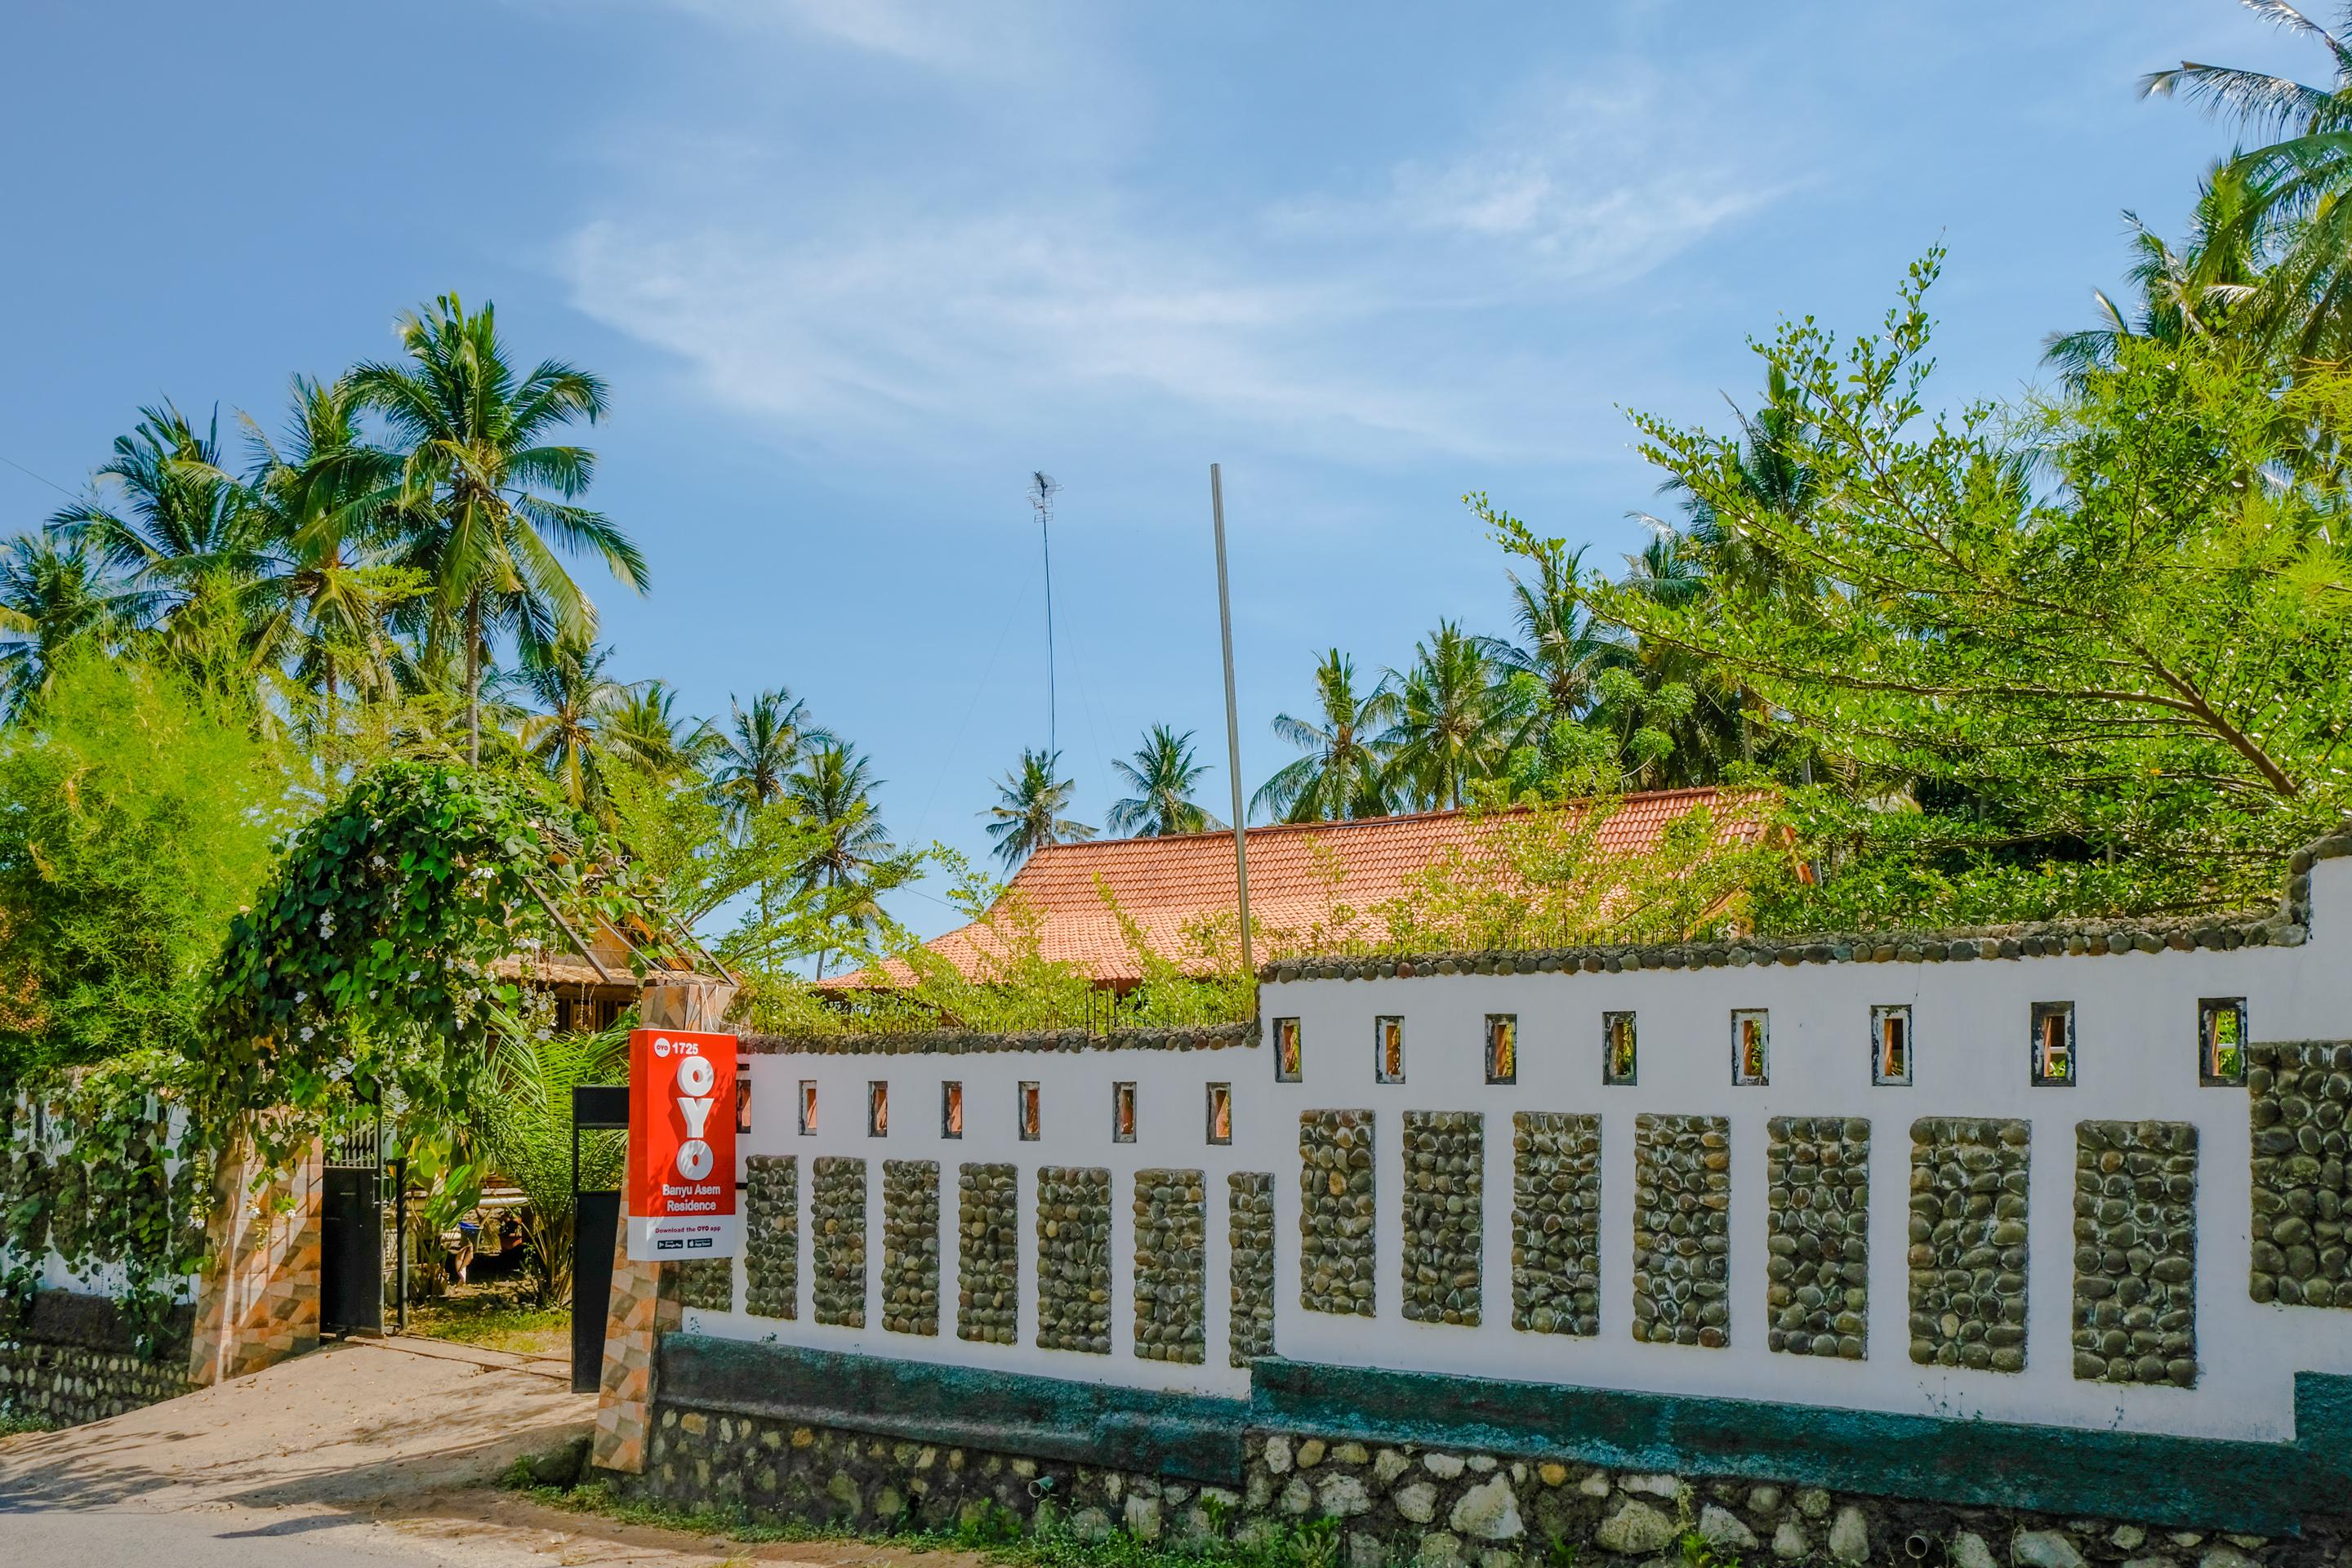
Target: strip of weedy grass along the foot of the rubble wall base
998	1536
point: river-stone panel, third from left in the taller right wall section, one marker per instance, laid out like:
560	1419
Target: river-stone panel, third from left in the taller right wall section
1556	1224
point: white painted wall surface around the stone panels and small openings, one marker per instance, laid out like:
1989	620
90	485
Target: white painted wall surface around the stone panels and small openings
2137	1059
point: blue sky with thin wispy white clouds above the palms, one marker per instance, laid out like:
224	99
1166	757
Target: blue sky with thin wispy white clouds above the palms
855	269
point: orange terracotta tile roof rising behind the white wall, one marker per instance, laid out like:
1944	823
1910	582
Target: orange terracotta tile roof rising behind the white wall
1168	883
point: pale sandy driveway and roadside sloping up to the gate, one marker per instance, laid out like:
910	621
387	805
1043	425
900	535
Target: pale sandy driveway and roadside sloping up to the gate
363	1452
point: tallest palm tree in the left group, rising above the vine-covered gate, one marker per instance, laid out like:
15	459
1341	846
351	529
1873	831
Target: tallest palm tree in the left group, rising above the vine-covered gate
476	457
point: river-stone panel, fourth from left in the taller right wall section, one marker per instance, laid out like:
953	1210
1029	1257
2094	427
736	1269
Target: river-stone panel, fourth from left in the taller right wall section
1683	1231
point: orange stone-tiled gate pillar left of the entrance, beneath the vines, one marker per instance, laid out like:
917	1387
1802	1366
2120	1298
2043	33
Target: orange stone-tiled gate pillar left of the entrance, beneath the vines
258	1301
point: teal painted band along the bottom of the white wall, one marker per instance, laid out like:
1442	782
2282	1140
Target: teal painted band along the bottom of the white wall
2203	1485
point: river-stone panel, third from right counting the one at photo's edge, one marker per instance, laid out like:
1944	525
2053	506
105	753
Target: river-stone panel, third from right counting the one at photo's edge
1967	1242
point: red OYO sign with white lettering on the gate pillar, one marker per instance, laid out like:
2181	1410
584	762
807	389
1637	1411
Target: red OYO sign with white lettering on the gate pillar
681	1146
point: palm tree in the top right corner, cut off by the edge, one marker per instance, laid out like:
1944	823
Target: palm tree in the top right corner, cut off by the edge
2294	187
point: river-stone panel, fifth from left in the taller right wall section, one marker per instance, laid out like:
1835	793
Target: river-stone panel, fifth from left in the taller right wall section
1817	1224
